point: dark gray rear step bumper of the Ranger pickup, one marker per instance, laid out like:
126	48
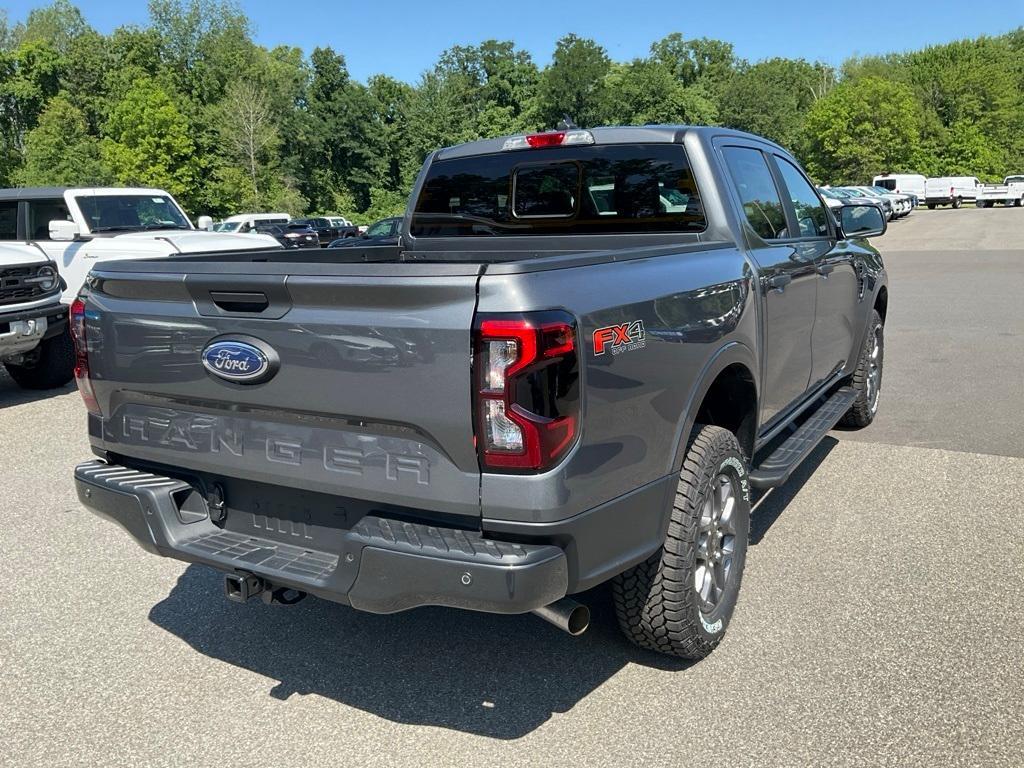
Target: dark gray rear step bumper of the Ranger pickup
382	567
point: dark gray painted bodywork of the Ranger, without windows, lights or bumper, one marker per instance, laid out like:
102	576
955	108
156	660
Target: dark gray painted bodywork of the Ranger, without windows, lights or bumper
373	401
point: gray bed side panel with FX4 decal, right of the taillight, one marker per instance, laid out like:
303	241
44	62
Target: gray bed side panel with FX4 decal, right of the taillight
693	306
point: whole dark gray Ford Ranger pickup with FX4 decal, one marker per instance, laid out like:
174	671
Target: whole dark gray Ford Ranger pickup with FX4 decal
587	350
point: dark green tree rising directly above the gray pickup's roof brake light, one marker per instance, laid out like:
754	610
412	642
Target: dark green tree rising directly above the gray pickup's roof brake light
575	84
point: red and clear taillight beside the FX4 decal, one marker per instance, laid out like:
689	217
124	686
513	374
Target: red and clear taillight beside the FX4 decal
528	401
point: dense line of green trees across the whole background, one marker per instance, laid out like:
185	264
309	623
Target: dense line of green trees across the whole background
191	104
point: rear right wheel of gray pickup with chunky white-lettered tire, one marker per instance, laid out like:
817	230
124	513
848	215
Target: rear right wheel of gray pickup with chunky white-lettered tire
680	601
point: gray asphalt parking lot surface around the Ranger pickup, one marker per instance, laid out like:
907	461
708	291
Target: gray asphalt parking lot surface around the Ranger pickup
881	621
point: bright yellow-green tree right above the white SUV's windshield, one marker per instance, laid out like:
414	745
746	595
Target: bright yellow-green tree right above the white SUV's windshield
149	143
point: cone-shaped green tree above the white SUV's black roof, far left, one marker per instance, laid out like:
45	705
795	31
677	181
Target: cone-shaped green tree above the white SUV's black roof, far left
60	152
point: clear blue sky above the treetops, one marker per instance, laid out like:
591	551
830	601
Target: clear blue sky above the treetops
403	38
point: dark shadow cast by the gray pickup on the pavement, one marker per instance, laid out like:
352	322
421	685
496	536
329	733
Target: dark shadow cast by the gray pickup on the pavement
487	675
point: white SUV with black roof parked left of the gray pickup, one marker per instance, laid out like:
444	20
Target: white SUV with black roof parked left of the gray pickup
78	228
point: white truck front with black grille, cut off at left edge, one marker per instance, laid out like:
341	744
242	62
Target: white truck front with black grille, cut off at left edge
35	348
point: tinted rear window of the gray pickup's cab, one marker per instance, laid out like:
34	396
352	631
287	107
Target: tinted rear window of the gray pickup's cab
612	189
